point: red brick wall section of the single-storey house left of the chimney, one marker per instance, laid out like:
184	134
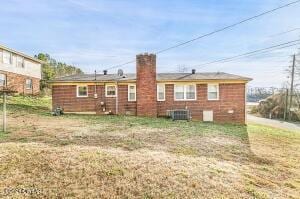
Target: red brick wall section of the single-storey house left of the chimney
65	96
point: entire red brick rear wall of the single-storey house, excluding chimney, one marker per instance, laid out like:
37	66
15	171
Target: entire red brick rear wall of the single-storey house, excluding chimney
232	97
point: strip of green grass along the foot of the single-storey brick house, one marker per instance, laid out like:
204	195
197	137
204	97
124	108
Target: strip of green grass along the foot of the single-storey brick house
188	128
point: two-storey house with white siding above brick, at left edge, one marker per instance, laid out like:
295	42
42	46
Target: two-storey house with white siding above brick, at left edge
19	72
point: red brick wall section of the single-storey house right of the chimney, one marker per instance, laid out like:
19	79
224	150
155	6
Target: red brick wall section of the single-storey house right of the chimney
232	97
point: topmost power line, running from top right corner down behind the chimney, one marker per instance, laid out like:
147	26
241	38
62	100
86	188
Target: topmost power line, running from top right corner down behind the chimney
211	33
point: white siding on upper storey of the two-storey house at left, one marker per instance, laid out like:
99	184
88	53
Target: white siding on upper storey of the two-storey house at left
31	68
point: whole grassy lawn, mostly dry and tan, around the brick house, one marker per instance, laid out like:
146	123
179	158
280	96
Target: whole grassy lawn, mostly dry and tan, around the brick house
130	157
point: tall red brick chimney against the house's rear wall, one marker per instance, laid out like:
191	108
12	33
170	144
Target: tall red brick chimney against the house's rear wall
146	85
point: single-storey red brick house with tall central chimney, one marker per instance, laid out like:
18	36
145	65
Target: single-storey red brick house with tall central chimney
216	97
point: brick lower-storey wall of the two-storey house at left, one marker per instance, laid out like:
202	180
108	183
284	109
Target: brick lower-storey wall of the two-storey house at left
17	82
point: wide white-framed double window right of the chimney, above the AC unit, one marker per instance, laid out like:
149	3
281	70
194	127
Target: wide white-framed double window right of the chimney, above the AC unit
185	92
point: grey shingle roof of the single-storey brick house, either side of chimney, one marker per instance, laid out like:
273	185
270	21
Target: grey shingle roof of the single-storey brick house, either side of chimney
159	77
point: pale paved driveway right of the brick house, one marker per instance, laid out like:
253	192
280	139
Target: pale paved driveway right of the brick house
274	123
